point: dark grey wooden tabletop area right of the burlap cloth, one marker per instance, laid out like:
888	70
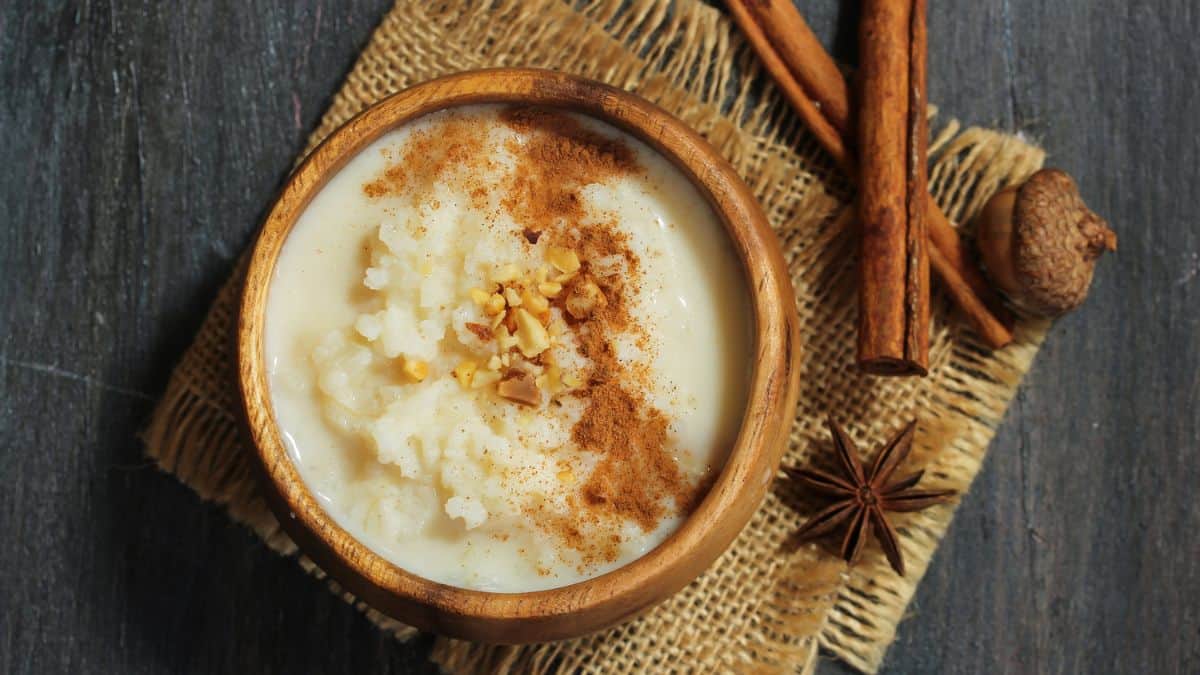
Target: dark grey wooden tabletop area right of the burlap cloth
1072	553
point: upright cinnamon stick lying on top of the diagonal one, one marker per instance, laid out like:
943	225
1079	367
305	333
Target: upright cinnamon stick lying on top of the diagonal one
893	319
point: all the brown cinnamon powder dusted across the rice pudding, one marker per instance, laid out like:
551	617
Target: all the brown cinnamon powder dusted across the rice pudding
635	479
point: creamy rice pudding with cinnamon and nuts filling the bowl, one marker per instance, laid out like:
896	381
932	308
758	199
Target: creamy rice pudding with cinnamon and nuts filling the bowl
508	348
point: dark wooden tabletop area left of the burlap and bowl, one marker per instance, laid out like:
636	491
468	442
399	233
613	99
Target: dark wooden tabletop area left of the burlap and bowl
143	142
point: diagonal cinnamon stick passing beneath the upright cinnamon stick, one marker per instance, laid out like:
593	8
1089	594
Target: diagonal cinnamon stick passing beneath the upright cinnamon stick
806	79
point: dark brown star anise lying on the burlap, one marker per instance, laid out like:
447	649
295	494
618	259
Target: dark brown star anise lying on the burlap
863	498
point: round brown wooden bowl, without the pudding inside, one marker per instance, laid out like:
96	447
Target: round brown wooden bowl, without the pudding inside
601	602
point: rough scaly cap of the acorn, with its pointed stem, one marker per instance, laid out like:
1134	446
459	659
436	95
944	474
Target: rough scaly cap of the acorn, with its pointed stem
1057	242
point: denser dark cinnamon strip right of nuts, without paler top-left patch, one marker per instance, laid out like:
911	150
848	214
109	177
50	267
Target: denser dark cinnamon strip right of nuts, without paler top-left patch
637	479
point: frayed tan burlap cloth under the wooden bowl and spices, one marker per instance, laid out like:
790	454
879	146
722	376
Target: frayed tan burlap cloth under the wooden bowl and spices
766	606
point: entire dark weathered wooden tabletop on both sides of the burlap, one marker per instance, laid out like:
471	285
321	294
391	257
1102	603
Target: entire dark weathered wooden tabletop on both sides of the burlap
145	140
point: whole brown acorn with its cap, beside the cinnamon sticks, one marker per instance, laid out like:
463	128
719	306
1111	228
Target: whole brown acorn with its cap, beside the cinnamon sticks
1040	243
